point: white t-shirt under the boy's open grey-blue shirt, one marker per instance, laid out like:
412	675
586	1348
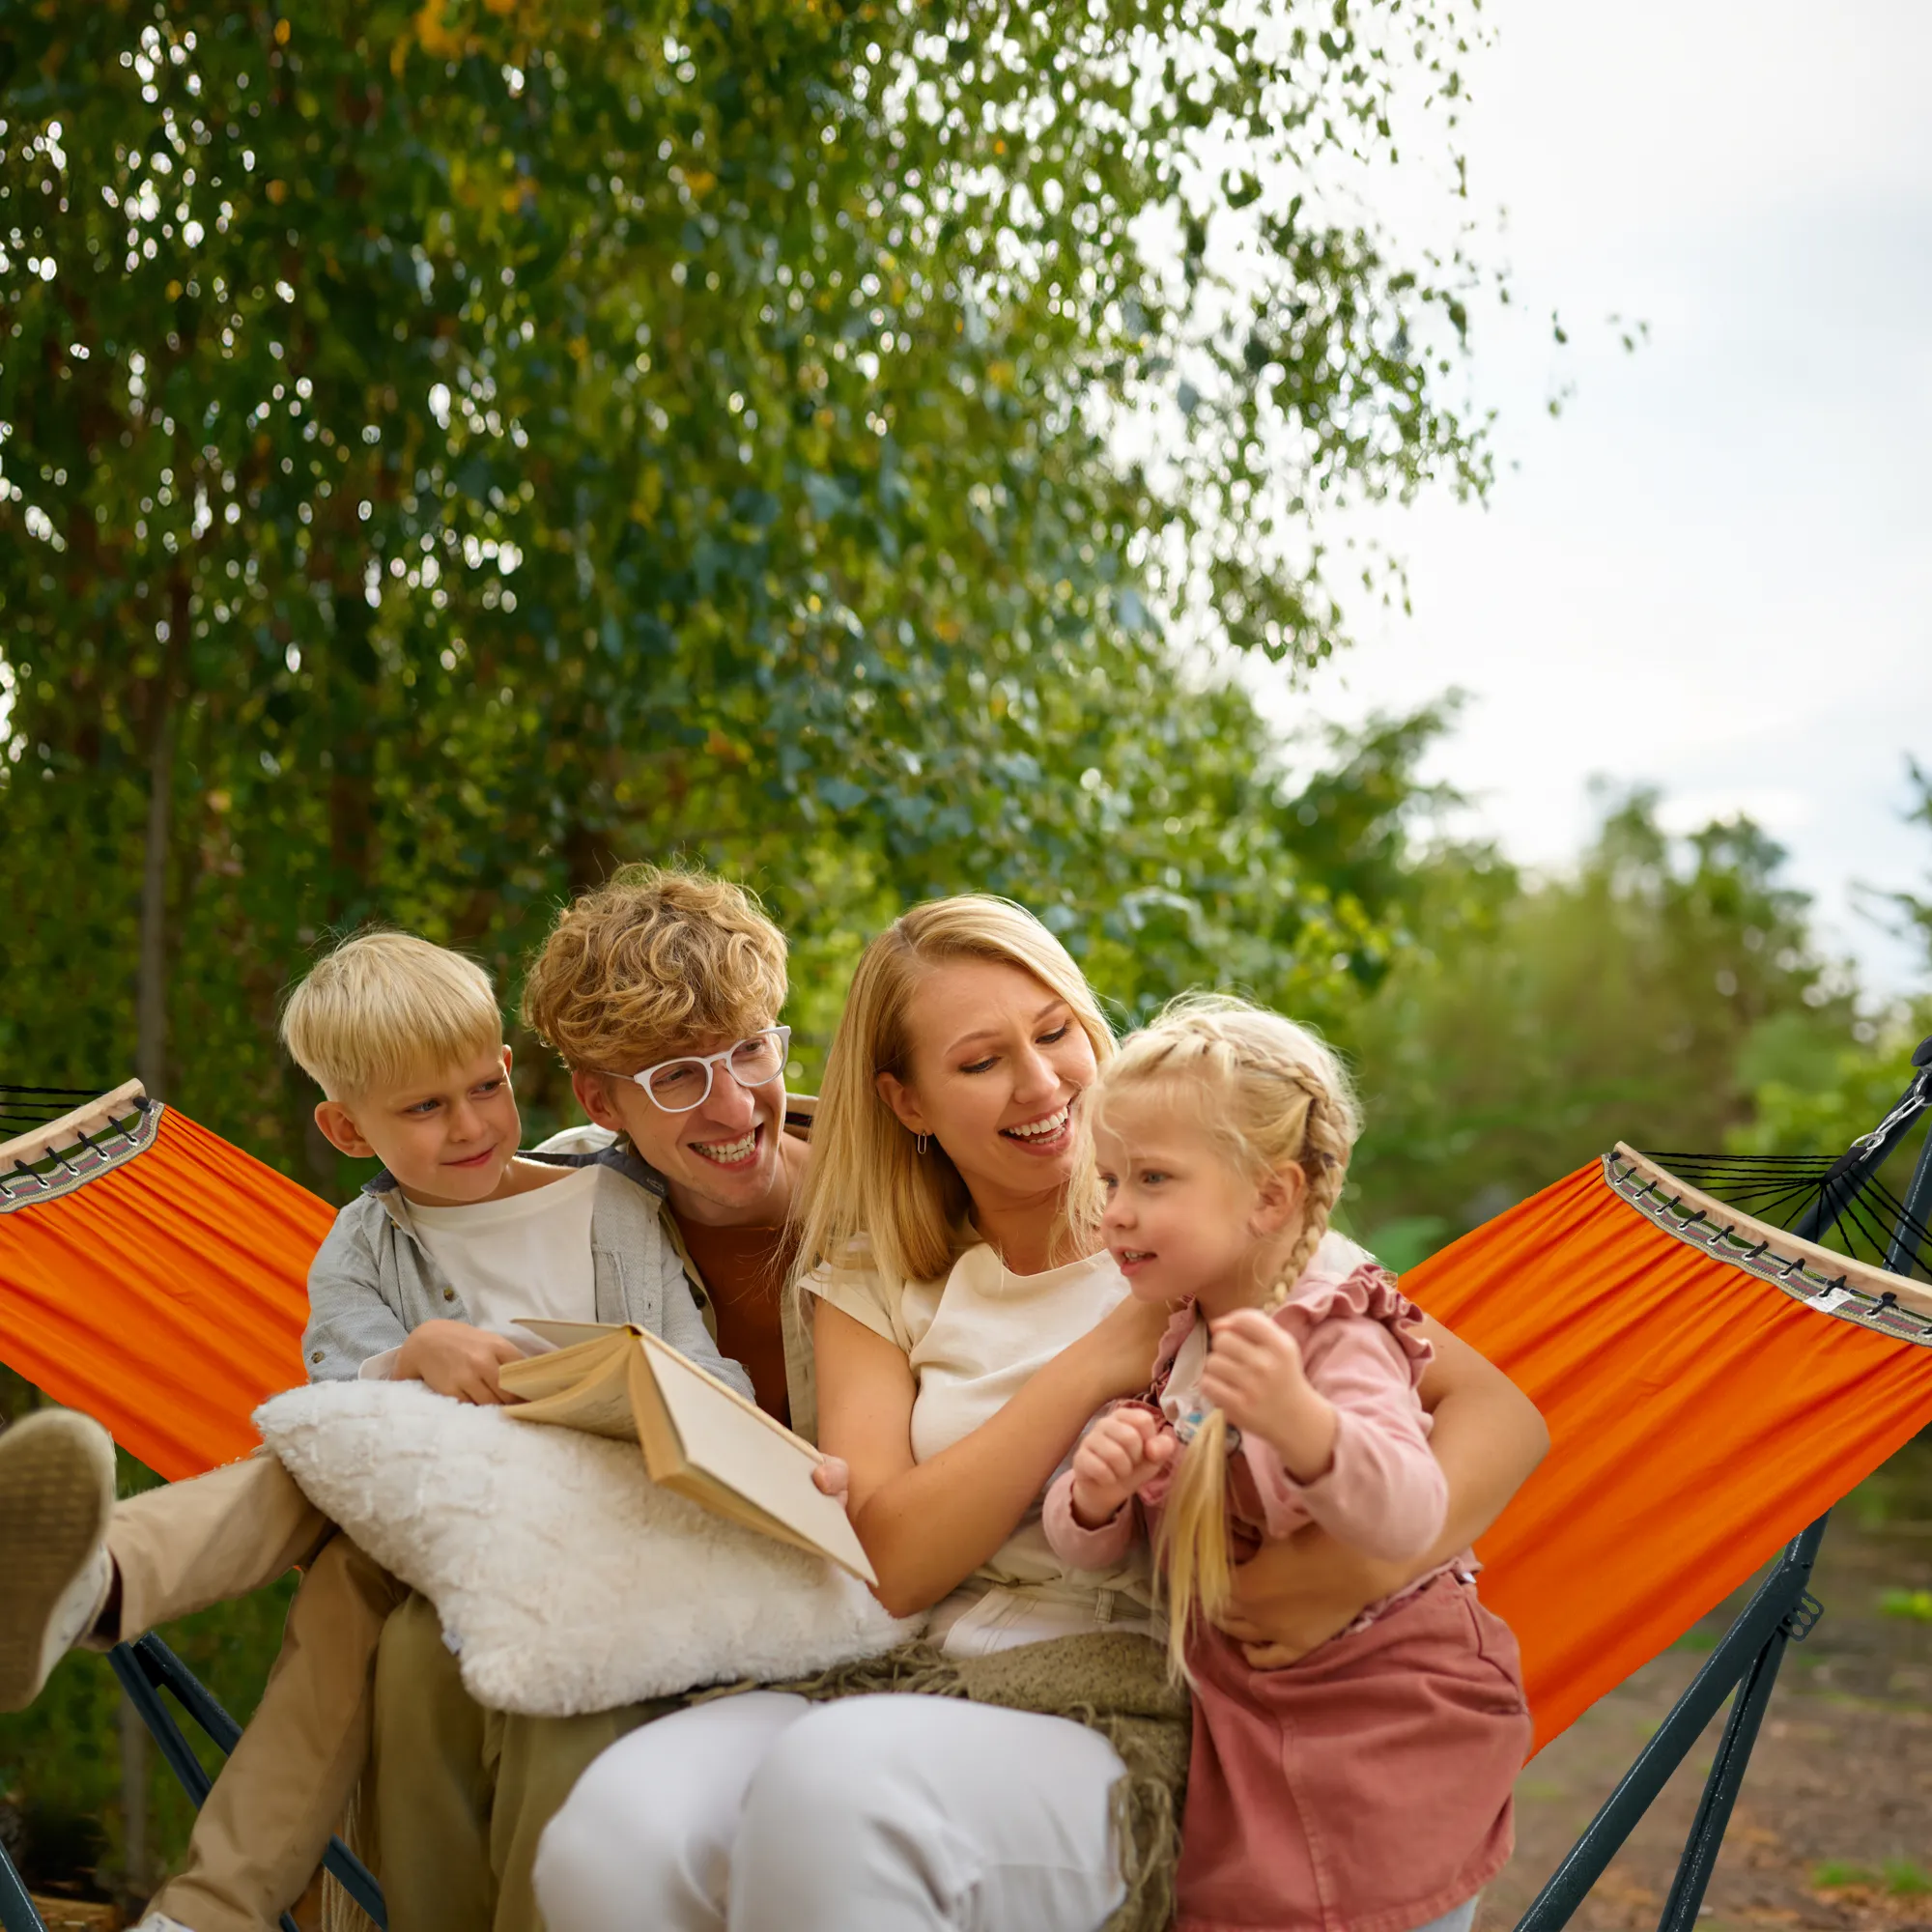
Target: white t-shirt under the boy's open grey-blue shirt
528	1255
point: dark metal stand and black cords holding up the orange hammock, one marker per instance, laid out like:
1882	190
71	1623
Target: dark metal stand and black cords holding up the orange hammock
1823	1201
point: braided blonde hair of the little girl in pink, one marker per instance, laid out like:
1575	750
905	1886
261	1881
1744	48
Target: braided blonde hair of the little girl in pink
1270	1094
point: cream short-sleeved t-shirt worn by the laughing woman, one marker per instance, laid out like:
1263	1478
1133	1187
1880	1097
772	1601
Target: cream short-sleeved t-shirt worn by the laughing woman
973	1342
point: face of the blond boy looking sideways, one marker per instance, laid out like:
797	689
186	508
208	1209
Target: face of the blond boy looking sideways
447	1135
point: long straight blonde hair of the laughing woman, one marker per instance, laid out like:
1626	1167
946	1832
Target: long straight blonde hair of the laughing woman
868	1178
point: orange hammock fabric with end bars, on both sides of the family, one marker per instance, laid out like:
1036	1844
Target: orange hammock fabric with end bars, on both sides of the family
1711	1384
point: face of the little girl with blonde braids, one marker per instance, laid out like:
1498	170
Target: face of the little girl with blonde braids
1181	1218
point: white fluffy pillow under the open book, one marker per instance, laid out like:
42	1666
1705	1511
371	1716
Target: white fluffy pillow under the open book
567	1581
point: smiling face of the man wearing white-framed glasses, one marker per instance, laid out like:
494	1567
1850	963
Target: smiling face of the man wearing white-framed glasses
724	1158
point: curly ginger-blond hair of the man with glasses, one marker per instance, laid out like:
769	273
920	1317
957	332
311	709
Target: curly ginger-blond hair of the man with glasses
650	961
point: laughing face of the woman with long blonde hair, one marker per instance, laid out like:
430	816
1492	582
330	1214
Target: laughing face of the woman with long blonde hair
996	1067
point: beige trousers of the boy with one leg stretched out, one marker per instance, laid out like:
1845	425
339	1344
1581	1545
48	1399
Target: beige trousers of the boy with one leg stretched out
268	1821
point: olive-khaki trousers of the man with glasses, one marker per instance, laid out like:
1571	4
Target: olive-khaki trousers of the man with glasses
463	1794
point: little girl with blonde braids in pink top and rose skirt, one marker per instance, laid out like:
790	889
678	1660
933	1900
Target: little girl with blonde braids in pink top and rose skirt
1365	1788
